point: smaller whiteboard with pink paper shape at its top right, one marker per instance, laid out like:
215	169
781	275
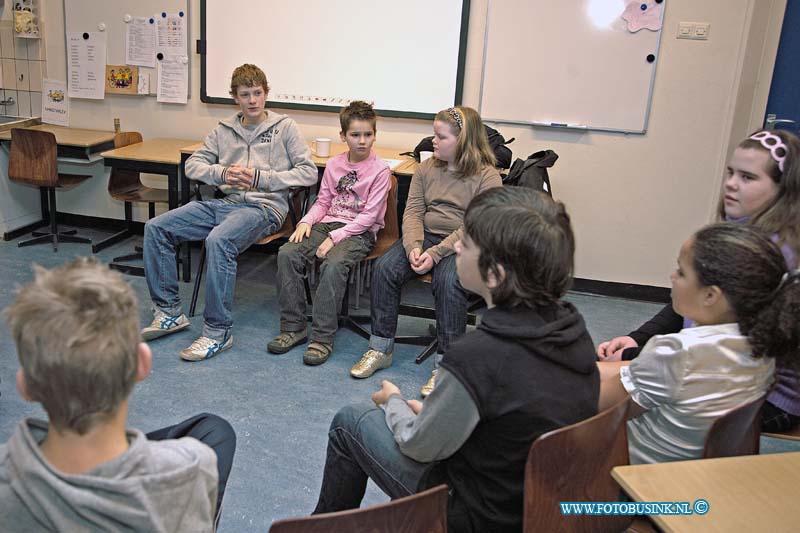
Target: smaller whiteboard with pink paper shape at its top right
547	62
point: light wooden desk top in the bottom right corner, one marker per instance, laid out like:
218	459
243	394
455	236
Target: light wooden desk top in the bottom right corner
750	493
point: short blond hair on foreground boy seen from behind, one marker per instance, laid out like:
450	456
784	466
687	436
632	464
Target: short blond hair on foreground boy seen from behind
76	328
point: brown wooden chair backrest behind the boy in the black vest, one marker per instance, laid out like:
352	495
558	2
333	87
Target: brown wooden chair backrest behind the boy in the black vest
573	464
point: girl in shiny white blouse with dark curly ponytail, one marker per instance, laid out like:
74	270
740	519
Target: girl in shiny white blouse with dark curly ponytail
732	282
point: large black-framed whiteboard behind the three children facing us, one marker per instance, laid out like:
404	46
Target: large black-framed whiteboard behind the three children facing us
405	56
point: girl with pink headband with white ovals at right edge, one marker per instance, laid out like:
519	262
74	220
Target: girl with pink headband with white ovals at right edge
762	188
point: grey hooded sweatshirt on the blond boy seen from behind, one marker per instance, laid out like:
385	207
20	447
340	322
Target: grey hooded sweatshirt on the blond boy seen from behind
160	486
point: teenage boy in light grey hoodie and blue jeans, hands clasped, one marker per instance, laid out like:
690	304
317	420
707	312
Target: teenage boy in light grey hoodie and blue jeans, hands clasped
253	158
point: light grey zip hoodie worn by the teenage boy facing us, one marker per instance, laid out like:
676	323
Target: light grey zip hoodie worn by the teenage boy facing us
275	149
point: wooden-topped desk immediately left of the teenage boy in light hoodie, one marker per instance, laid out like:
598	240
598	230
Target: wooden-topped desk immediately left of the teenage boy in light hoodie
156	156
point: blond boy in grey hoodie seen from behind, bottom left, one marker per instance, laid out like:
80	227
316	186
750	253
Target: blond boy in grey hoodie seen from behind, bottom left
77	335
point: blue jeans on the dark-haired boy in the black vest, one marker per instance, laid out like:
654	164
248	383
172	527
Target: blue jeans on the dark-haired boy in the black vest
361	446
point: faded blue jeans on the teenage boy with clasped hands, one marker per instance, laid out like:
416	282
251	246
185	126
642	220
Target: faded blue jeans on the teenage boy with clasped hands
228	229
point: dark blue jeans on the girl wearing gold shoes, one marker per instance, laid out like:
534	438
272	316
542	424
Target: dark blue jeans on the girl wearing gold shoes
392	270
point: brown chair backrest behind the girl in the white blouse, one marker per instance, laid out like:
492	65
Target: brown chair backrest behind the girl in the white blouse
737	432
